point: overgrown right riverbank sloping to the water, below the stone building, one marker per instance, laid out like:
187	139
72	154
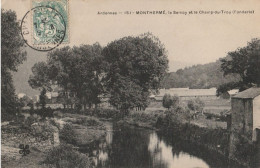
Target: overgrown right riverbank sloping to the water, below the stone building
209	134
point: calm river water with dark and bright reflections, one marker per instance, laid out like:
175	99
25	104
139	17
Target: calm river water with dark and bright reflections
130	147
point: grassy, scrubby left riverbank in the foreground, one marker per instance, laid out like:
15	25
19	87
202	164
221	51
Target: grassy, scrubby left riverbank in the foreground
46	136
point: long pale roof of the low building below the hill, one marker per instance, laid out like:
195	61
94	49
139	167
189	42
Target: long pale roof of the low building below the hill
188	92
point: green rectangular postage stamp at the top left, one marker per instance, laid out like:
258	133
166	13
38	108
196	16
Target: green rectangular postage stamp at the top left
50	21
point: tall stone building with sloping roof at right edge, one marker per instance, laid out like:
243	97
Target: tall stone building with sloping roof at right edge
245	117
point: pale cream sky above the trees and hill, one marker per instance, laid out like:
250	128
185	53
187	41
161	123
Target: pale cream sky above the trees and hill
189	39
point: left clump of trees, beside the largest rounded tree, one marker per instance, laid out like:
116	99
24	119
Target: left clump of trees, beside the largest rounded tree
77	71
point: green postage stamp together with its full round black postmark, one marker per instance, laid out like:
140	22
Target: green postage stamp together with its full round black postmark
45	26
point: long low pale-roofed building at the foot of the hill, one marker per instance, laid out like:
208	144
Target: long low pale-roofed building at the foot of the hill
187	94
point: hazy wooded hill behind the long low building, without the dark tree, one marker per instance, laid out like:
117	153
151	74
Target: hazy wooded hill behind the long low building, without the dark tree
198	76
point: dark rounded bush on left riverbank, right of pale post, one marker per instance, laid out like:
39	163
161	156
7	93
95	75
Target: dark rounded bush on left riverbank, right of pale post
67	134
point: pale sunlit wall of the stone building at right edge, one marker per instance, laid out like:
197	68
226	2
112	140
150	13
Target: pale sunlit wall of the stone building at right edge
256	116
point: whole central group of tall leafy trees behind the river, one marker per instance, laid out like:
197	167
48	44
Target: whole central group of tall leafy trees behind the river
126	70
